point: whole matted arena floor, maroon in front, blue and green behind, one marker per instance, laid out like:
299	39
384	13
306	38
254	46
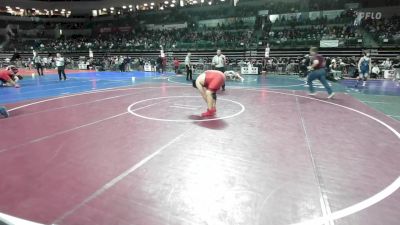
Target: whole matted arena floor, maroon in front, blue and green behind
107	148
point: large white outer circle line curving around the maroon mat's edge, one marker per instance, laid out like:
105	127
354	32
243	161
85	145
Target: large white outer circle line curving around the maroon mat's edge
386	192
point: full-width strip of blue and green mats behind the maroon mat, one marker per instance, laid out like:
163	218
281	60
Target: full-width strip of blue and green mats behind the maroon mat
33	88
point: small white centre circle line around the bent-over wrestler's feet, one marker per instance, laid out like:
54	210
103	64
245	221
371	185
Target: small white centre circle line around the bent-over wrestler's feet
131	111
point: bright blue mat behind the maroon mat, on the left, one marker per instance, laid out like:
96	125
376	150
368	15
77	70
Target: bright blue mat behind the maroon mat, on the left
49	85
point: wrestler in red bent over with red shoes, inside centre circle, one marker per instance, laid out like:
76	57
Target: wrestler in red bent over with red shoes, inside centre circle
208	83
